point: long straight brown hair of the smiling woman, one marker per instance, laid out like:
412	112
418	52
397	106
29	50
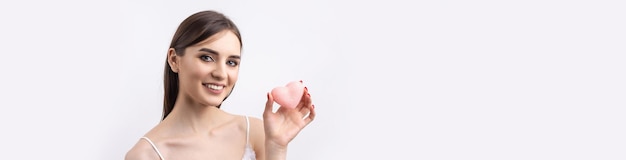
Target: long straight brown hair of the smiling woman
194	29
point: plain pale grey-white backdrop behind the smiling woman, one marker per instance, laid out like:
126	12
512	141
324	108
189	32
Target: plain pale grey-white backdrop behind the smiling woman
390	79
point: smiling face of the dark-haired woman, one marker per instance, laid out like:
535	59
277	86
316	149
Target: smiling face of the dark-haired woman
208	70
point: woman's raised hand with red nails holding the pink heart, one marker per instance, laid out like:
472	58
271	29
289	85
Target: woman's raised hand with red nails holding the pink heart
284	124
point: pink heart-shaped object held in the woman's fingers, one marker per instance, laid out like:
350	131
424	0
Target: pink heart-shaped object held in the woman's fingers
289	95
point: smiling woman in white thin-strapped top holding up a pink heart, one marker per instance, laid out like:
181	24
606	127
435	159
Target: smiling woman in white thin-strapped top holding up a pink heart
200	72
